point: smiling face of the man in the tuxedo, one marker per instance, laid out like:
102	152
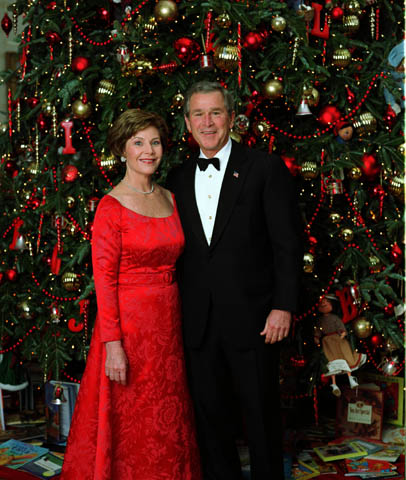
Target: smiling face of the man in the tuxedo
209	122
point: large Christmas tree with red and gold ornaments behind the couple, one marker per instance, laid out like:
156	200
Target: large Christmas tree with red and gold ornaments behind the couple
320	84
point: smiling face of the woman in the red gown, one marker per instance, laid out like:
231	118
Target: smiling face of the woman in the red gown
143	151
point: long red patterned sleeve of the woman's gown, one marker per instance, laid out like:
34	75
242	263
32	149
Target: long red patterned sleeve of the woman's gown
106	253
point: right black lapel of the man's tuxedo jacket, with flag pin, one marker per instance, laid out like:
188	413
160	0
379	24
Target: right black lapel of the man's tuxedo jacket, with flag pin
237	168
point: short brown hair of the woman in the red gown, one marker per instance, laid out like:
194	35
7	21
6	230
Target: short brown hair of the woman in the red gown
129	123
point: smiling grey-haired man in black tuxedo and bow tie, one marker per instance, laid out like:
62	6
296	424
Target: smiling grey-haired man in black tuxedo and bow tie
238	280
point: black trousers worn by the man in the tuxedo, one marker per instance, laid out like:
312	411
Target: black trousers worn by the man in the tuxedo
223	377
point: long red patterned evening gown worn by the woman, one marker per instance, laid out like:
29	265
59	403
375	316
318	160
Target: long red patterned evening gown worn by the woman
143	430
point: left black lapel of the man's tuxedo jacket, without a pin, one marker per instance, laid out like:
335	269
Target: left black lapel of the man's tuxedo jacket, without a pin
189	204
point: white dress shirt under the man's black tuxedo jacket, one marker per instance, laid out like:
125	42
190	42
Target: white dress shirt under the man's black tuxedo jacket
207	188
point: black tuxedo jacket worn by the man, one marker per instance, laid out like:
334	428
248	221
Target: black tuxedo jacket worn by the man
253	262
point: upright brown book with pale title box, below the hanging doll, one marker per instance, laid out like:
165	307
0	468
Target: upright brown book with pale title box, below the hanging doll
360	412
